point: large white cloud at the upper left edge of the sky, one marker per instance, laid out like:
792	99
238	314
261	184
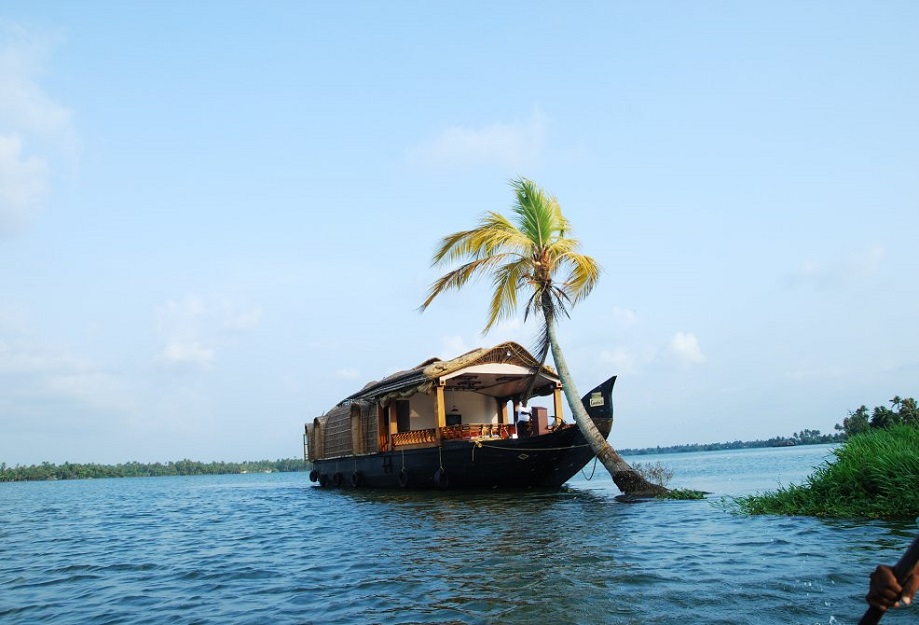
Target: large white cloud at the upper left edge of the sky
34	129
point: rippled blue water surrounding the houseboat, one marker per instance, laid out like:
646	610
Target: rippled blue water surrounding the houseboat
273	549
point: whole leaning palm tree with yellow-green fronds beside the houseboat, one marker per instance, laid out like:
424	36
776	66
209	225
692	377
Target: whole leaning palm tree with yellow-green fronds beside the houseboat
533	254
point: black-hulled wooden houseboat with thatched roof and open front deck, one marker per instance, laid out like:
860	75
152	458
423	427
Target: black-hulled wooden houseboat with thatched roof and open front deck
457	424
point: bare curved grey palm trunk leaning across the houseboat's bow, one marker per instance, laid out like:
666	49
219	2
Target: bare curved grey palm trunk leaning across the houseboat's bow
627	479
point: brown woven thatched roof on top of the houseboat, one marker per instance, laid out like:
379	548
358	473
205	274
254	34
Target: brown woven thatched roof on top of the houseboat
422	377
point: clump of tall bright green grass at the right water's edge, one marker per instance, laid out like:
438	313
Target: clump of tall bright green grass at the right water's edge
874	475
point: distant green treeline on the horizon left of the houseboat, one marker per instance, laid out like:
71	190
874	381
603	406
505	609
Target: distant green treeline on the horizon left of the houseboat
76	471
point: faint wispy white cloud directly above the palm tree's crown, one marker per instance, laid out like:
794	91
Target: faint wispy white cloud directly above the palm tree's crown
517	146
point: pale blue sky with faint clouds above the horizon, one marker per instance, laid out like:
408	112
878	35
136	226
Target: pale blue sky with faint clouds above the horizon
216	218
